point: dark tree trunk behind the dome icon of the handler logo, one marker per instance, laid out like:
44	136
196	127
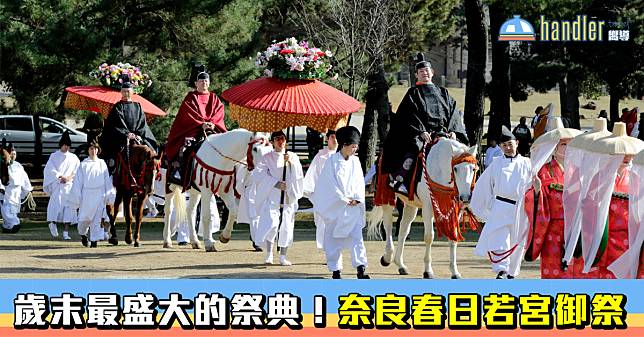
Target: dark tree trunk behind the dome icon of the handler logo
500	85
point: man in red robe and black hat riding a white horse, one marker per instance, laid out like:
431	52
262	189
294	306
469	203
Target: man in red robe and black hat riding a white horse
201	113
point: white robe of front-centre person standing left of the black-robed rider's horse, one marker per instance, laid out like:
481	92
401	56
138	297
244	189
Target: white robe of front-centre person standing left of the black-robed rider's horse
341	181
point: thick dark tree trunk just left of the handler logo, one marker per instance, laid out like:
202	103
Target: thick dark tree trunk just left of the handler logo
476	61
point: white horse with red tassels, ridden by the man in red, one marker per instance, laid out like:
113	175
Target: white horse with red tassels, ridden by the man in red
213	169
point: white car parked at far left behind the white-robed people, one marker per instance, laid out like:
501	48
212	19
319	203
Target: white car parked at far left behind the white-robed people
21	131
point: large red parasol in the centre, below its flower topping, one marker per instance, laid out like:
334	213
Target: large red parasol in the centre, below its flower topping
269	104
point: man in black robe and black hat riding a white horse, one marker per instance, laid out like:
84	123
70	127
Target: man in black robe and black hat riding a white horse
426	112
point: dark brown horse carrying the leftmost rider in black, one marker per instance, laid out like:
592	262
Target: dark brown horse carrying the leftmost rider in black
134	175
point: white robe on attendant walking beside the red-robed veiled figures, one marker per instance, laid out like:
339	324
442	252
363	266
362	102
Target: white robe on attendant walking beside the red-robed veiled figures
507	178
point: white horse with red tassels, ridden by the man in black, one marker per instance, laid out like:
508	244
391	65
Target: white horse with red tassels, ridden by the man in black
441	171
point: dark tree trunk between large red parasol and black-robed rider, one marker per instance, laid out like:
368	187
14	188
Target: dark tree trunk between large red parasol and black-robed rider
377	103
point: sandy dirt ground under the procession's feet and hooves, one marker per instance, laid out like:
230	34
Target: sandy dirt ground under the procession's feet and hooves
33	254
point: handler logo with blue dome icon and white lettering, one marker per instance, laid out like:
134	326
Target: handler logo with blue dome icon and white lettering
582	29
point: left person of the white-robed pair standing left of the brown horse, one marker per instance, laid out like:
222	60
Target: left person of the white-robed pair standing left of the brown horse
57	184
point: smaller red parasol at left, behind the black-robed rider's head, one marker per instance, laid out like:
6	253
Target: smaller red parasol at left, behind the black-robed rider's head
100	99
